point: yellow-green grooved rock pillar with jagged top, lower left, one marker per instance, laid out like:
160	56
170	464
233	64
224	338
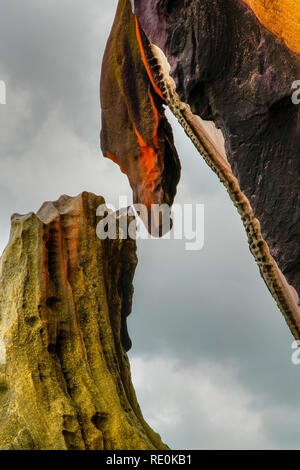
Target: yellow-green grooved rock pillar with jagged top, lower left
65	381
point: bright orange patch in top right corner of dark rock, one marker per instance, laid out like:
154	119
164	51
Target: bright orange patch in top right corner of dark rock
281	17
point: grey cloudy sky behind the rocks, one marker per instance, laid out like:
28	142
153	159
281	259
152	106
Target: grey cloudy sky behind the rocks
211	357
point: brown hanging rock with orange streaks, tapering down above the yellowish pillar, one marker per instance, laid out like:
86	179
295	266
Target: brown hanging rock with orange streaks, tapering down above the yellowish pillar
135	132
